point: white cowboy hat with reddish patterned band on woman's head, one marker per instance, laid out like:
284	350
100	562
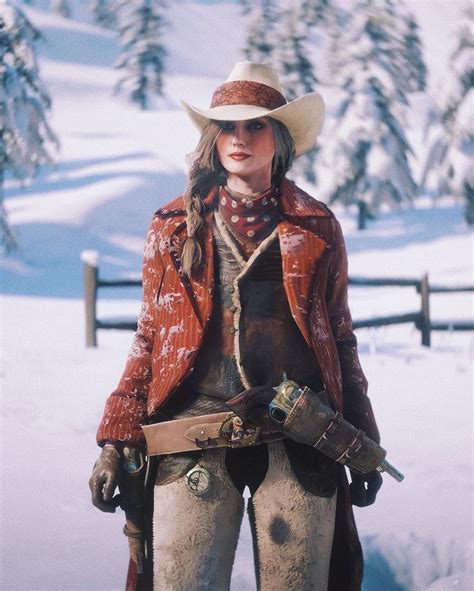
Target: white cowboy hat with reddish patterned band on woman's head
253	90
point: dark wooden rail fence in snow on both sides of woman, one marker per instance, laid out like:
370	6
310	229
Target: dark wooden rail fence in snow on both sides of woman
421	317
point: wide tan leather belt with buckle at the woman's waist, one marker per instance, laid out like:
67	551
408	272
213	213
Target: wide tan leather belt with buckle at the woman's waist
222	429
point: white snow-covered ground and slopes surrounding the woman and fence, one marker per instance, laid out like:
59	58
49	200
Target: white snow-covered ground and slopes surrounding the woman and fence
115	167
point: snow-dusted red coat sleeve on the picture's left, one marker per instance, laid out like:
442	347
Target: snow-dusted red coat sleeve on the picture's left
126	407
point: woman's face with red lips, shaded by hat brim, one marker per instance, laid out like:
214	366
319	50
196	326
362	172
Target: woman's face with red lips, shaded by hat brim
246	149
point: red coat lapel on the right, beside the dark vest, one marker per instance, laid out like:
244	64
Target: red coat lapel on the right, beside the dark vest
301	250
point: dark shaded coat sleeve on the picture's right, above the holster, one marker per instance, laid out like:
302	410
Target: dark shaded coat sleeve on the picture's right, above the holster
357	407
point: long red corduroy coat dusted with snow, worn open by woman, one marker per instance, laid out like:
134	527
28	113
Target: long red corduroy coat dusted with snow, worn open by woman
176	310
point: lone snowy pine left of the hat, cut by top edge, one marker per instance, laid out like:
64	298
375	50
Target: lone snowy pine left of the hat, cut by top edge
143	53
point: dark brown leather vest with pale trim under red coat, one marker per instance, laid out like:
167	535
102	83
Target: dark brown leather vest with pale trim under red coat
252	339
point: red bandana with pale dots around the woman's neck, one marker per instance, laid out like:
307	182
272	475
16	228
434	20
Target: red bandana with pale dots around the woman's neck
250	218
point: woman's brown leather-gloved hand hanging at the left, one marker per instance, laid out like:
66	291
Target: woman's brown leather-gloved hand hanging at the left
104	479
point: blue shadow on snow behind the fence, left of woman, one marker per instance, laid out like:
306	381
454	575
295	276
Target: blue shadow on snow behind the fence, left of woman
47	263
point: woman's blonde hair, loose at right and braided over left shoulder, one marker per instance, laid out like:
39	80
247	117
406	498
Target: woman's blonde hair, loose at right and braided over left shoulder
206	171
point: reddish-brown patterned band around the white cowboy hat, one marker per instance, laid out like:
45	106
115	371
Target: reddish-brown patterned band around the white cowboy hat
245	92
